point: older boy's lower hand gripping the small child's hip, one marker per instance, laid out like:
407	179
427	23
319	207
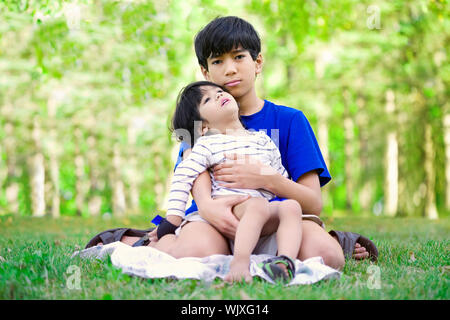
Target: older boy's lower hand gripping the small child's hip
218	212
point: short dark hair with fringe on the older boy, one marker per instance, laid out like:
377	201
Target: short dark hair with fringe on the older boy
224	34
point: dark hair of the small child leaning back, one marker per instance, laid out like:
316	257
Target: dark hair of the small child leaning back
186	111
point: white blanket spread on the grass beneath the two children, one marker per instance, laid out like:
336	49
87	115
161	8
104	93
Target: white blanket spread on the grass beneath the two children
147	262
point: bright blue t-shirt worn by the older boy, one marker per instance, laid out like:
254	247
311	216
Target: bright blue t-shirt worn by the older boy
292	133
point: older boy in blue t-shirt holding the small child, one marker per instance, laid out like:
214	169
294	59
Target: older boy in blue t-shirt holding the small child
228	52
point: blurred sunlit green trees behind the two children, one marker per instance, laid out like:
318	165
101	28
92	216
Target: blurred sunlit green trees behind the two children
87	91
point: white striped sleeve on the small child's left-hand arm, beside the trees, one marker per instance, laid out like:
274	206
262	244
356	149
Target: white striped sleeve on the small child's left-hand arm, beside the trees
184	176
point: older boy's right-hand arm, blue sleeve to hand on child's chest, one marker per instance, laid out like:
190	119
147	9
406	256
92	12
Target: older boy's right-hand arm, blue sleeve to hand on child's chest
304	163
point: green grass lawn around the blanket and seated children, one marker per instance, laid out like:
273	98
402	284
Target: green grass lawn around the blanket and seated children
35	263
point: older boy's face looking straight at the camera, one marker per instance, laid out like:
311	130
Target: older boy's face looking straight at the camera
235	70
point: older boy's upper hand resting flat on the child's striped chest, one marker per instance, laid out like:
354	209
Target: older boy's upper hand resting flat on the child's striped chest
243	172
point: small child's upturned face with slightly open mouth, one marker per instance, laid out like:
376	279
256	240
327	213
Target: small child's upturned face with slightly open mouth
217	107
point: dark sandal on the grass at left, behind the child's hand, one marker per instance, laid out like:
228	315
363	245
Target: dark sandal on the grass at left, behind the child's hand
113	235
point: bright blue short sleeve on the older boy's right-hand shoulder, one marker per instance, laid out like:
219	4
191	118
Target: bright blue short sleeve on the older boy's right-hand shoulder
303	152
